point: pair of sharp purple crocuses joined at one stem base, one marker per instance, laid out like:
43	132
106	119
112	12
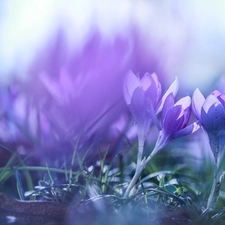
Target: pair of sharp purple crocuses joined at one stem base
143	97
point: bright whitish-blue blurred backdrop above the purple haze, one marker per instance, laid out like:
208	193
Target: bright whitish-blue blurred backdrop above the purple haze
186	39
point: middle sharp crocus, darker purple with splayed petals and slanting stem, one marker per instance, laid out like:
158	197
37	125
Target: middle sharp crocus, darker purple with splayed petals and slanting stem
175	117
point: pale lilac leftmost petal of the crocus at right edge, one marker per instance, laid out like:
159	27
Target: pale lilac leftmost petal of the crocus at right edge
197	102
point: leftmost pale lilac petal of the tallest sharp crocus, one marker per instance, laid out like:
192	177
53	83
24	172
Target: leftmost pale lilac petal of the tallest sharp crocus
131	82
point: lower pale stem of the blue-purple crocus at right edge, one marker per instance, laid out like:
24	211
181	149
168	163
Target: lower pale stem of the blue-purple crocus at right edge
215	190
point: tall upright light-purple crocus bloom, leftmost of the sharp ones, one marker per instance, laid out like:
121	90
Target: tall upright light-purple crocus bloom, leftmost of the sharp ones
142	97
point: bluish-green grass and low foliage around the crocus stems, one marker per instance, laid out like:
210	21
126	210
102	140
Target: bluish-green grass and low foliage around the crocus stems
168	193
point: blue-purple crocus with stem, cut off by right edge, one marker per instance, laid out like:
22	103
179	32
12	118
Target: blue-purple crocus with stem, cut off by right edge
211	115
